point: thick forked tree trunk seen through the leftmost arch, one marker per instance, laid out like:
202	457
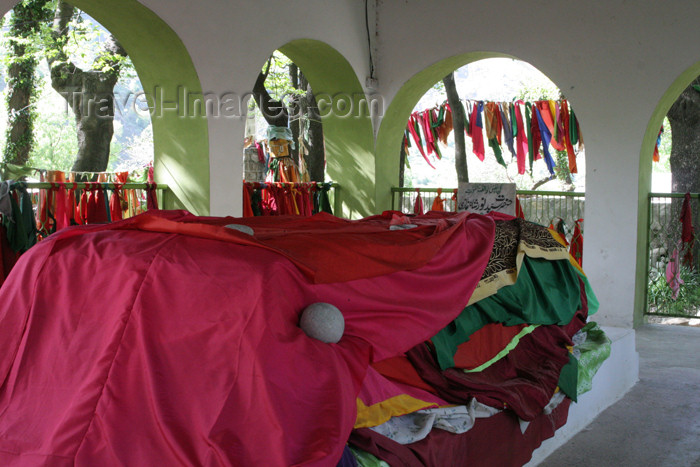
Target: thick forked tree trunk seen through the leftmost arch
89	94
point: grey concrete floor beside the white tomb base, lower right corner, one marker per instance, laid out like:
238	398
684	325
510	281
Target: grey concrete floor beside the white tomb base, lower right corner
658	422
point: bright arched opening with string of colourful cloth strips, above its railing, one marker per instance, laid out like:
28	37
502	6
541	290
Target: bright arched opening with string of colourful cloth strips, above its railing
500	81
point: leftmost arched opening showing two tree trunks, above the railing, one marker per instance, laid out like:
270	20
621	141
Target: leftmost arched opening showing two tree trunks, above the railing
50	80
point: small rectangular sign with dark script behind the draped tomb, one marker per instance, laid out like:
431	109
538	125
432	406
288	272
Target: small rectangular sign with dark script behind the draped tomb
486	197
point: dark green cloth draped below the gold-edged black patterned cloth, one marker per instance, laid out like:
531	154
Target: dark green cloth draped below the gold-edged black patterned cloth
545	292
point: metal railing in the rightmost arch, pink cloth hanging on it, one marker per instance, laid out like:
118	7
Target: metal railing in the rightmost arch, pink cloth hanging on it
668	259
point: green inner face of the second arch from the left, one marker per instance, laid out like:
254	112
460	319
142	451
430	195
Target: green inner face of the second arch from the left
347	125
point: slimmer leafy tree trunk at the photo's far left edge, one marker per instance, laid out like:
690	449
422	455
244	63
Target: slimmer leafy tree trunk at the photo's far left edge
26	21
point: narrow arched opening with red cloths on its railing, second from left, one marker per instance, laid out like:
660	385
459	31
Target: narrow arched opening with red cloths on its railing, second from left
284	159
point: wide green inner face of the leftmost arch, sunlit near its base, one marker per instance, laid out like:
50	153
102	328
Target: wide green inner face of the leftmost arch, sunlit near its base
168	76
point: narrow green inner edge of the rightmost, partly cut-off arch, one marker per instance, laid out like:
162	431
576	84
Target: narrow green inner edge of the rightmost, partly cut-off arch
645	168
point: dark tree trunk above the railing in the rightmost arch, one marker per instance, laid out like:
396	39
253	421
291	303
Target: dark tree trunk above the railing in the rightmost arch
684	117
